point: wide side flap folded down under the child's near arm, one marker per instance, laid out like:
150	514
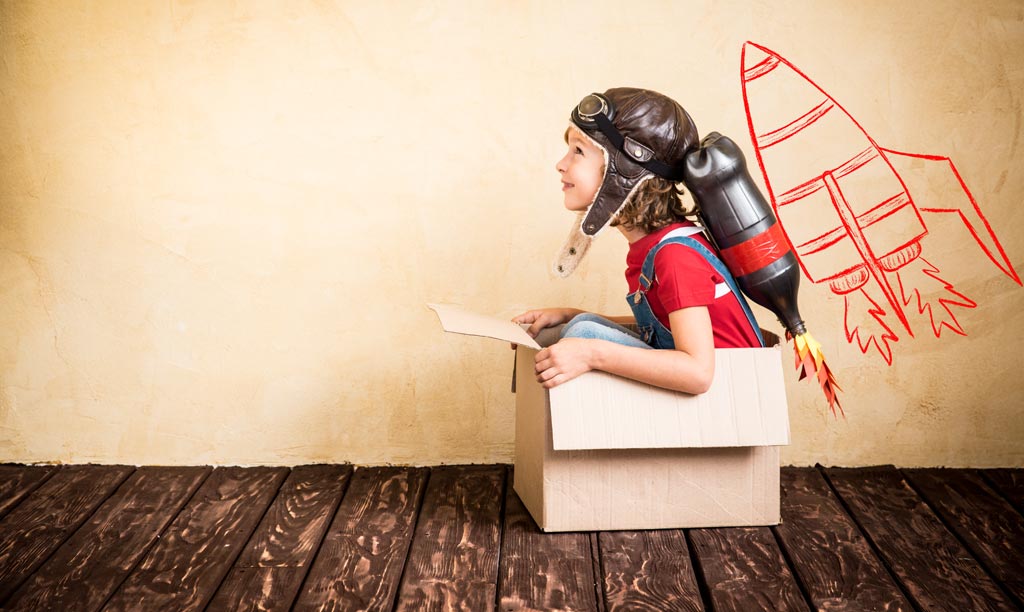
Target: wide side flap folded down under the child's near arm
746	407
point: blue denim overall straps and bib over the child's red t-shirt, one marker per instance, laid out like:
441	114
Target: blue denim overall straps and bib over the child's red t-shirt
652	330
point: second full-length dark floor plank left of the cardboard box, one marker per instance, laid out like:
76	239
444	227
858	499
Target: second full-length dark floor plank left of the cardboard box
361	561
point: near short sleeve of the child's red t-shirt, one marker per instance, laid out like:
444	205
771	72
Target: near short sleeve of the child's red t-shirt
685	278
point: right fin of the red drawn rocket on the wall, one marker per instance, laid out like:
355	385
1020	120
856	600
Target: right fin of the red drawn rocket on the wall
934	180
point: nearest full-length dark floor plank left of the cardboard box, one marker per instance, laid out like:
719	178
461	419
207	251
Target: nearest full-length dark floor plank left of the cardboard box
453	563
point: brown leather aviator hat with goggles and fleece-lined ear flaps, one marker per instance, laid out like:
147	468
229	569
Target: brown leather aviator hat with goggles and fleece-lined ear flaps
643	135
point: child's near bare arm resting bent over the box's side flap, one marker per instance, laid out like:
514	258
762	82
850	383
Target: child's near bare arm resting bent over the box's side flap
690	368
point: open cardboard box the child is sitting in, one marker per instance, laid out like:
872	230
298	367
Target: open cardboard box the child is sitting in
603	453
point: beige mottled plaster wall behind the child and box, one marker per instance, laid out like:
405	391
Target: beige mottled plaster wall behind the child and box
220	222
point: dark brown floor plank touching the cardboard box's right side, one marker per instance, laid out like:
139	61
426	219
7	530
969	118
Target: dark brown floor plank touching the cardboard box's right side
834	561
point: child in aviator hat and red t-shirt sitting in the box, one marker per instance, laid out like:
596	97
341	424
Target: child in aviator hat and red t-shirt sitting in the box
627	152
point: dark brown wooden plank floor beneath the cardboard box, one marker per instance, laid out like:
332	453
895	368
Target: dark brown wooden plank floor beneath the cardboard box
457	538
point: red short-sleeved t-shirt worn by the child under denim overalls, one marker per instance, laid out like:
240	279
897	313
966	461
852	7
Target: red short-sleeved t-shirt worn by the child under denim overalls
684	279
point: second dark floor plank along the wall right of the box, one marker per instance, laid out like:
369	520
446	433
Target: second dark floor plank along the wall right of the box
935	570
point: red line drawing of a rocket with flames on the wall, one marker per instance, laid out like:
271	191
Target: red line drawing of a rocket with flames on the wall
856	212
